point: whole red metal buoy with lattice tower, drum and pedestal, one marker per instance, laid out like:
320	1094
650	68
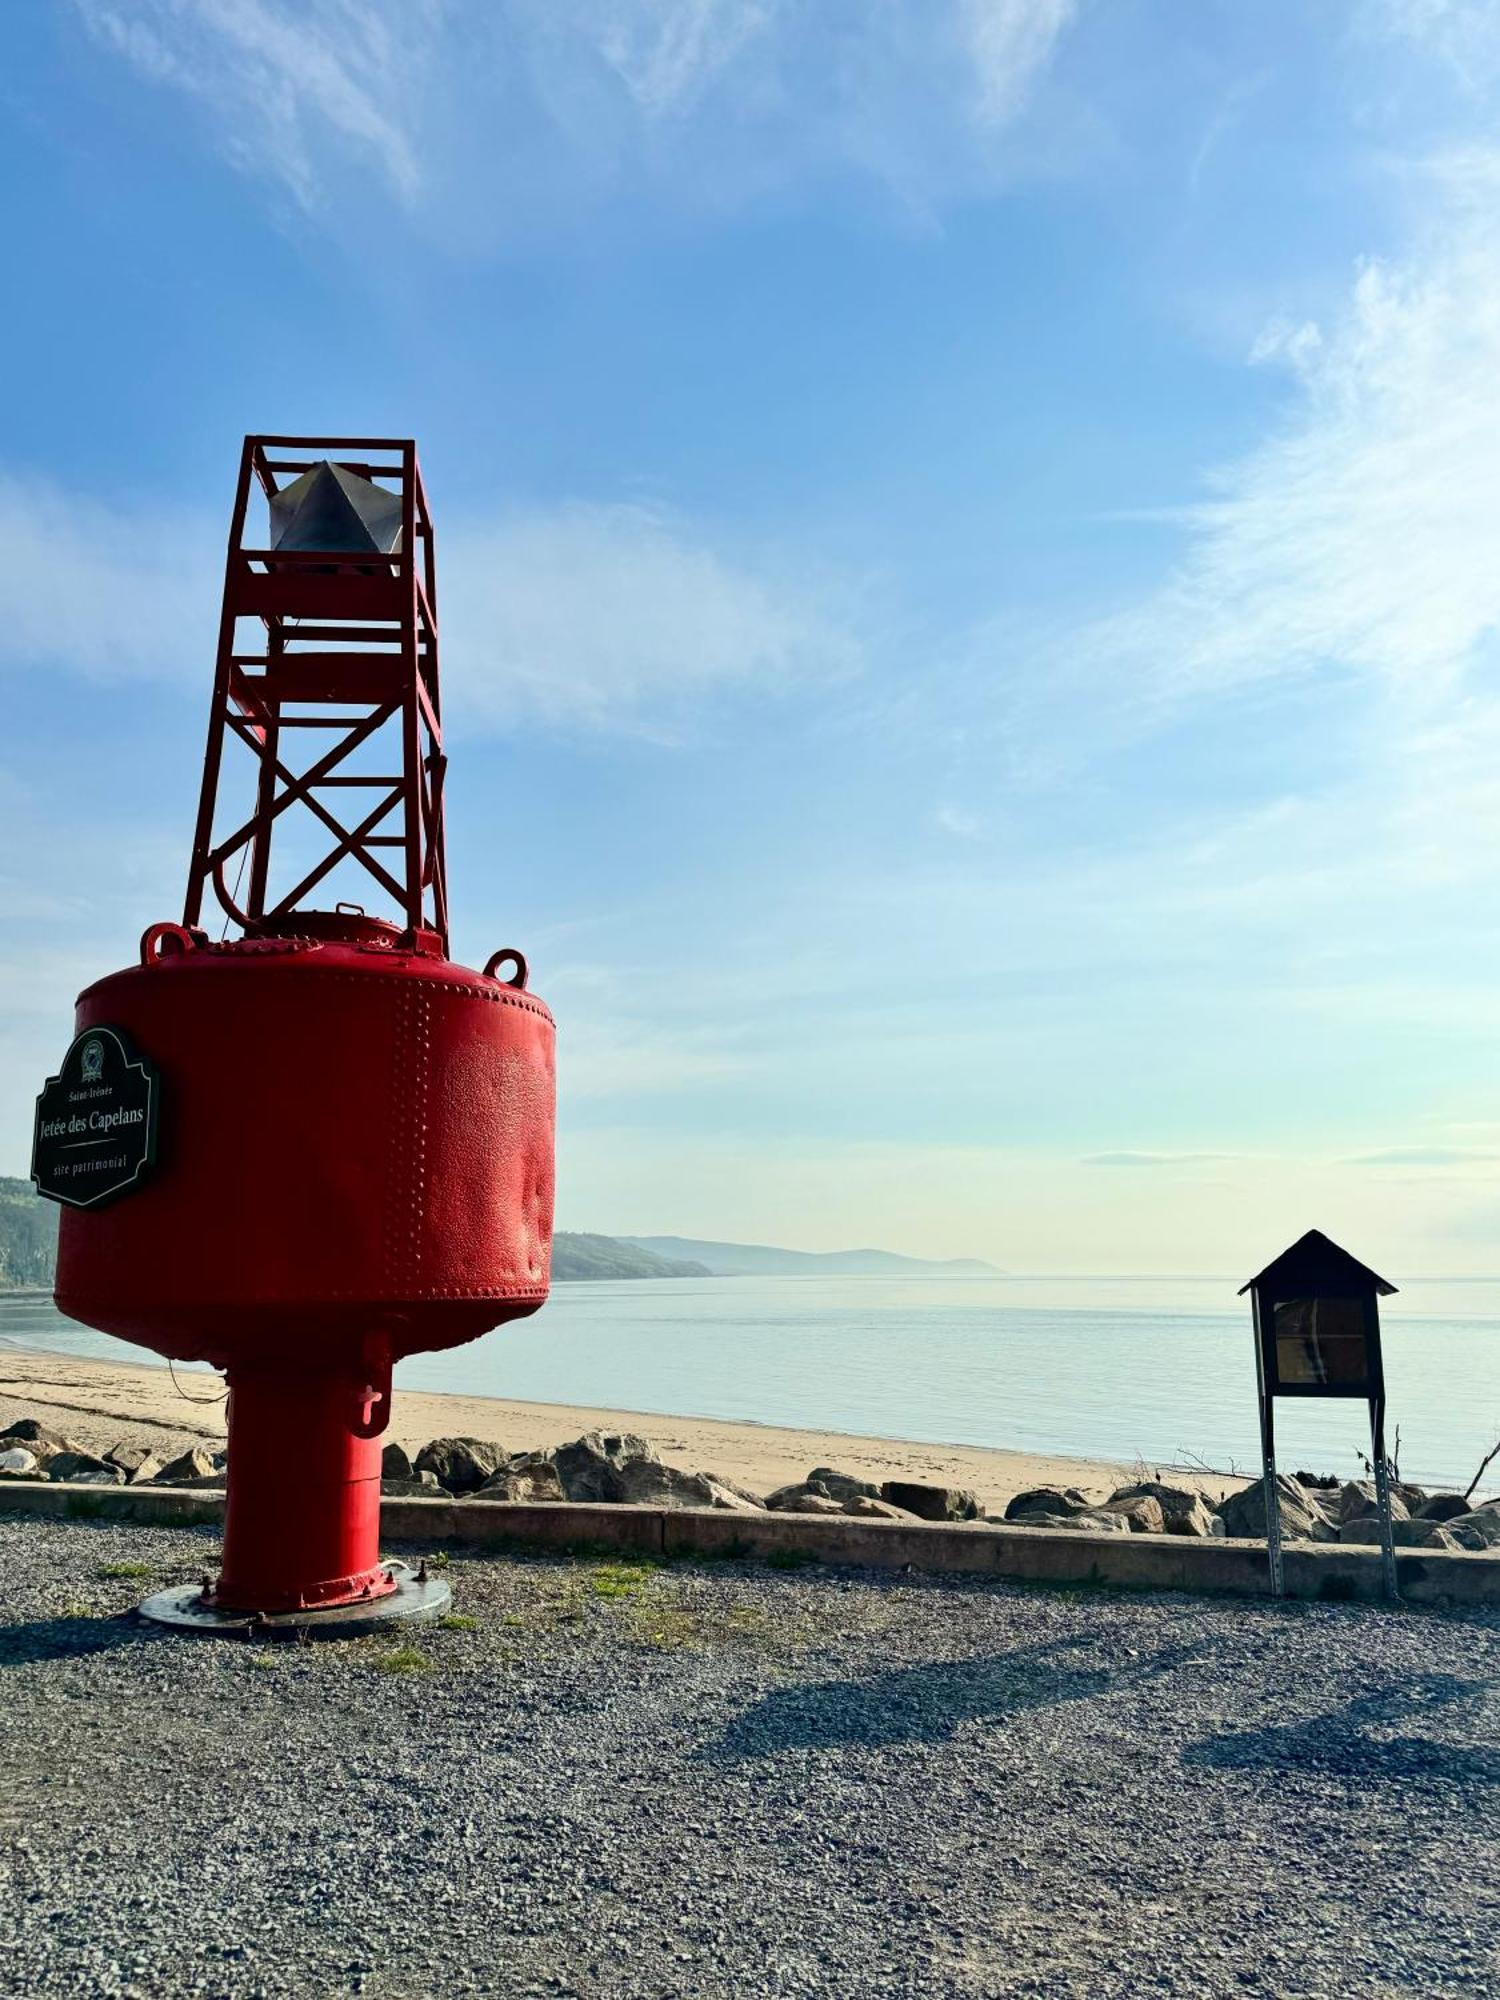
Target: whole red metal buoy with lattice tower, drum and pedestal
313	1147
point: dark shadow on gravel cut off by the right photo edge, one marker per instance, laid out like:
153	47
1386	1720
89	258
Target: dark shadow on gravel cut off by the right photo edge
1341	1743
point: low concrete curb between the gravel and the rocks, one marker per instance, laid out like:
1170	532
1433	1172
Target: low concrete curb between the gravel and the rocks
1317	1571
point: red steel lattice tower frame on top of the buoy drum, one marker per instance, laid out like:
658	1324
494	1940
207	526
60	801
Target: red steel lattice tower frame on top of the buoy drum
353	639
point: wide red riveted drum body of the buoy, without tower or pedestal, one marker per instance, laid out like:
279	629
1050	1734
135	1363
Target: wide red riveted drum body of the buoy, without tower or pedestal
353	1141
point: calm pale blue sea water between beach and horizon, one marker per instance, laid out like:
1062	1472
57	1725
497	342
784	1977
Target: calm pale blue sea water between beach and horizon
1099	1367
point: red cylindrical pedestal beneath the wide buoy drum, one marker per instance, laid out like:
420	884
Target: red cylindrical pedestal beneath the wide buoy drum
303	1509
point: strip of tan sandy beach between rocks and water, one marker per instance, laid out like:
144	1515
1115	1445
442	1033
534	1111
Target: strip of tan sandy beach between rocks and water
99	1403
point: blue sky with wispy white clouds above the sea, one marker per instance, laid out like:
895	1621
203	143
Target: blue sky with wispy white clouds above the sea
967	565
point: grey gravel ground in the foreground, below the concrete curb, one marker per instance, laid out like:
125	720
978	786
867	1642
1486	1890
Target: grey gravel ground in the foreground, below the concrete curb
739	1781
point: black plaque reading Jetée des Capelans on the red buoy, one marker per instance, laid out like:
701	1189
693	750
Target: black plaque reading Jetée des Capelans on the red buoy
97	1123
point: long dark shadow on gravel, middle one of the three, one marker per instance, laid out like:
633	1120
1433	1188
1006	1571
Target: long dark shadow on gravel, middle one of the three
931	1703
